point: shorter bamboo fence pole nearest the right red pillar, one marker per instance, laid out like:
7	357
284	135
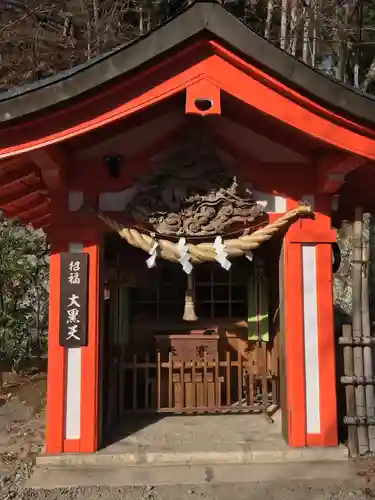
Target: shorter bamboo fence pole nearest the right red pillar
350	392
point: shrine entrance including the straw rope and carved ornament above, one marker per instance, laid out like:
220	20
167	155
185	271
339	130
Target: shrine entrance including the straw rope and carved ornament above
191	277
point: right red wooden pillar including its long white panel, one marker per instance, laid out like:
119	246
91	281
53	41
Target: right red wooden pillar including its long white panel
309	405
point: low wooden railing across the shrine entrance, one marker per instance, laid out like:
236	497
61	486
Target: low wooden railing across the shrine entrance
197	386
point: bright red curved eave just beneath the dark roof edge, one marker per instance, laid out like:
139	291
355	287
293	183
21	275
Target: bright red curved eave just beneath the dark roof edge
205	60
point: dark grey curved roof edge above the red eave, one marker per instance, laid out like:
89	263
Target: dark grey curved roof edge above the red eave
199	19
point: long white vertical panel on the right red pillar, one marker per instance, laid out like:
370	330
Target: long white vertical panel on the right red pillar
311	352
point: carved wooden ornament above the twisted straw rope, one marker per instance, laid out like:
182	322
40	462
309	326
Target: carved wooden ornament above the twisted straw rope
194	197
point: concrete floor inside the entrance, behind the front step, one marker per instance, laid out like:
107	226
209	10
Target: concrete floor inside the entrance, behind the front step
200	433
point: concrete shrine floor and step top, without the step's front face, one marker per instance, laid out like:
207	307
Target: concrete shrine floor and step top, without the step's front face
198	439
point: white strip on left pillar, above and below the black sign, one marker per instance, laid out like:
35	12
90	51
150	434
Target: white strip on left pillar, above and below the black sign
73	381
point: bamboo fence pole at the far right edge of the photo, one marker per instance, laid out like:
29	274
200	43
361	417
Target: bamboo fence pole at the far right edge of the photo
366	329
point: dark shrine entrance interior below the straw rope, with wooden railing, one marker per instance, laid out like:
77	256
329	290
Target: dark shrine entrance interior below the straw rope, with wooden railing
157	361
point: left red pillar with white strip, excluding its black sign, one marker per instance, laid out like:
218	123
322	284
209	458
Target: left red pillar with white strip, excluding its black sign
72	391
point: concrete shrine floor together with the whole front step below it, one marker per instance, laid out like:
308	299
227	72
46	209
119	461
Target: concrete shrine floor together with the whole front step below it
192	450
